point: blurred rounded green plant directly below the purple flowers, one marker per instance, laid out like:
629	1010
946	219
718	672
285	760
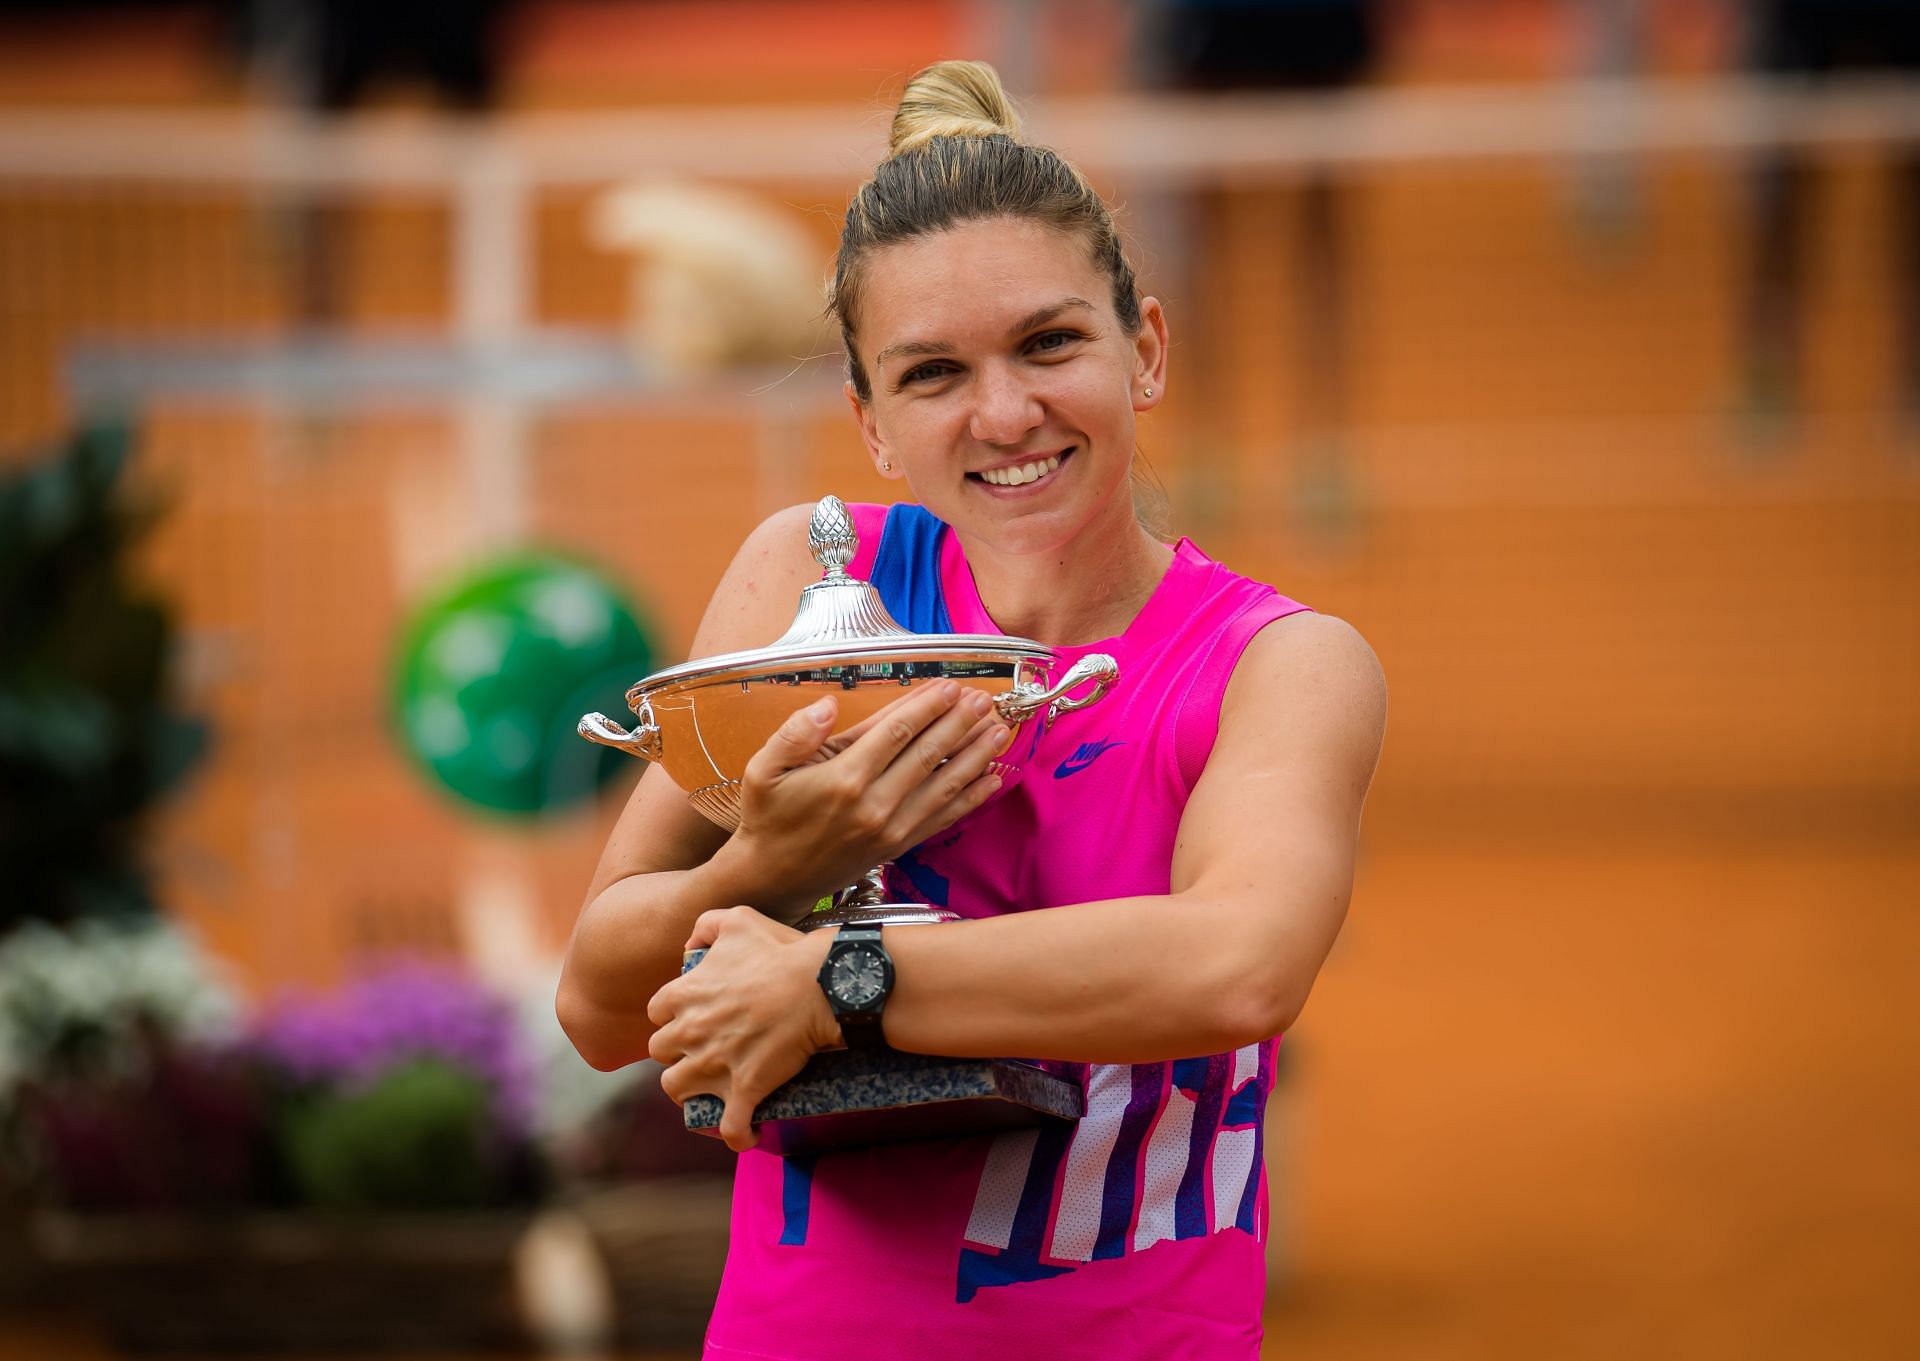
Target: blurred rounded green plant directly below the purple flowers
418	1139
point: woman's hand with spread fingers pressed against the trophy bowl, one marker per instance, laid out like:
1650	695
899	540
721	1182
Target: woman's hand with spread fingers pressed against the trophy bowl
821	809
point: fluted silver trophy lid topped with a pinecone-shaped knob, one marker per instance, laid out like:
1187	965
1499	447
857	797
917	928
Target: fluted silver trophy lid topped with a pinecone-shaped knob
840	623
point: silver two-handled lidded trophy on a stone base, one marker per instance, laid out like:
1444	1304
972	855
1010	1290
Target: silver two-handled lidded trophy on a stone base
704	723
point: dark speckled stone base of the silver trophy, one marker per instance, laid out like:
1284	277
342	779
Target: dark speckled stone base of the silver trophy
848	1099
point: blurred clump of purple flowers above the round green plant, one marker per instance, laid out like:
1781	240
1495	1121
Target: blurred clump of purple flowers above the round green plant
396	1011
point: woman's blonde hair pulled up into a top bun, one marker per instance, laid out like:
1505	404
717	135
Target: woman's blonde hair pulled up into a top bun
955	156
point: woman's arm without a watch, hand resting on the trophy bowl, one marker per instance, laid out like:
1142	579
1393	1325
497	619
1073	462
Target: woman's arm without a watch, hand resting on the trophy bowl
809	824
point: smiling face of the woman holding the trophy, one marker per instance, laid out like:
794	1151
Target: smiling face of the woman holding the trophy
1003	385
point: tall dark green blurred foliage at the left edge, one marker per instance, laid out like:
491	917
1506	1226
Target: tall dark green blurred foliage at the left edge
87	736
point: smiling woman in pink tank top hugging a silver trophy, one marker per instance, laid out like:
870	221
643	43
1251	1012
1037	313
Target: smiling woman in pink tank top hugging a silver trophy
1191	838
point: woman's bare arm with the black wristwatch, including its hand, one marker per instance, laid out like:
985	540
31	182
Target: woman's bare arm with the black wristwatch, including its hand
1262	872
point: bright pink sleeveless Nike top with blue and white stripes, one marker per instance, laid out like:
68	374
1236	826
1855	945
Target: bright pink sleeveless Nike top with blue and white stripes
1141	1230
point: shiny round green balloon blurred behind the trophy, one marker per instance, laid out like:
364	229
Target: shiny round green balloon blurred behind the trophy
494	675
